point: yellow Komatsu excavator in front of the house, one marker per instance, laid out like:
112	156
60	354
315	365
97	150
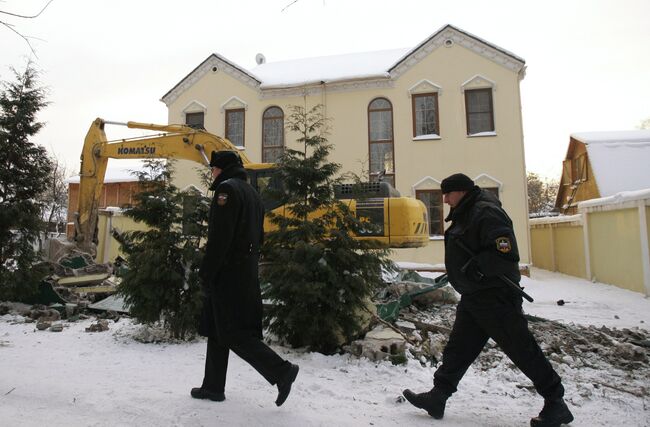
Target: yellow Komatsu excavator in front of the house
399	222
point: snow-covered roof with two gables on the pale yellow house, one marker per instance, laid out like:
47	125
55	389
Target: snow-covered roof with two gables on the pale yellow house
345	69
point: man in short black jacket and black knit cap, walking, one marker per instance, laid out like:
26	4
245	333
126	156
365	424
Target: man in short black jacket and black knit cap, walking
488	308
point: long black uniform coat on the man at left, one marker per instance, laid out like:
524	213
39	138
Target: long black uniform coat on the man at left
229	269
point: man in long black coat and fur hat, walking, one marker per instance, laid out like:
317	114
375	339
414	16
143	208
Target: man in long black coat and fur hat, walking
232	311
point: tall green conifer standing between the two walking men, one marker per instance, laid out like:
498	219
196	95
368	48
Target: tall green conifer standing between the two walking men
317	275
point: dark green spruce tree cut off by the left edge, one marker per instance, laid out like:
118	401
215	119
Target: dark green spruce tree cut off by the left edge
24	168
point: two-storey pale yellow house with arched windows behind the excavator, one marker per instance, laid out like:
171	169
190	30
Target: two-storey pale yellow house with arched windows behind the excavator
450	104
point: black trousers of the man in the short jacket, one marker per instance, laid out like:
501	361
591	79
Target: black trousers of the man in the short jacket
497	314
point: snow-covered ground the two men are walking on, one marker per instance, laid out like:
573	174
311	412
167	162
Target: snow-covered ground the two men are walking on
75	378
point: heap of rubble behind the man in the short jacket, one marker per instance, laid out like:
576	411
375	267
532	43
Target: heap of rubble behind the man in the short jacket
420	319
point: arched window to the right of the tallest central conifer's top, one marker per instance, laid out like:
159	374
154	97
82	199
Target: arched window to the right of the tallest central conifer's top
380	140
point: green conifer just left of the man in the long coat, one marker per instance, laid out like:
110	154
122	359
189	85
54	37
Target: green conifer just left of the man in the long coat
161	282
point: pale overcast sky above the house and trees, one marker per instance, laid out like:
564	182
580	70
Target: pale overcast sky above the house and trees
588	61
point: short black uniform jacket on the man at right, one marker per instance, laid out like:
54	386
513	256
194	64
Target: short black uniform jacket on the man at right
483	226
